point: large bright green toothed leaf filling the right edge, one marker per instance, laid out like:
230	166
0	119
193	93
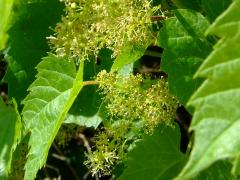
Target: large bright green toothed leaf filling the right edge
216	120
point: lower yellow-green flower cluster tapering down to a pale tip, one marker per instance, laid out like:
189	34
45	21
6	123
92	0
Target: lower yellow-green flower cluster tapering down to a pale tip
135	106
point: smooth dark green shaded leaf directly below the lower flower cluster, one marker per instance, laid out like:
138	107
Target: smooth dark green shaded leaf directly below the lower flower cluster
156	157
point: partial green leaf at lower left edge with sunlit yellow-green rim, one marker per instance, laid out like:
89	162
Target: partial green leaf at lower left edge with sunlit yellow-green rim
10	134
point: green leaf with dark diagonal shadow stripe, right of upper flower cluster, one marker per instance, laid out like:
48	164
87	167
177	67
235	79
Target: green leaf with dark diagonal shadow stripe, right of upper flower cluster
185	47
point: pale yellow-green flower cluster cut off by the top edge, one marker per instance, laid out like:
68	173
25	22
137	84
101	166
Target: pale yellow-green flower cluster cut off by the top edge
90	25
